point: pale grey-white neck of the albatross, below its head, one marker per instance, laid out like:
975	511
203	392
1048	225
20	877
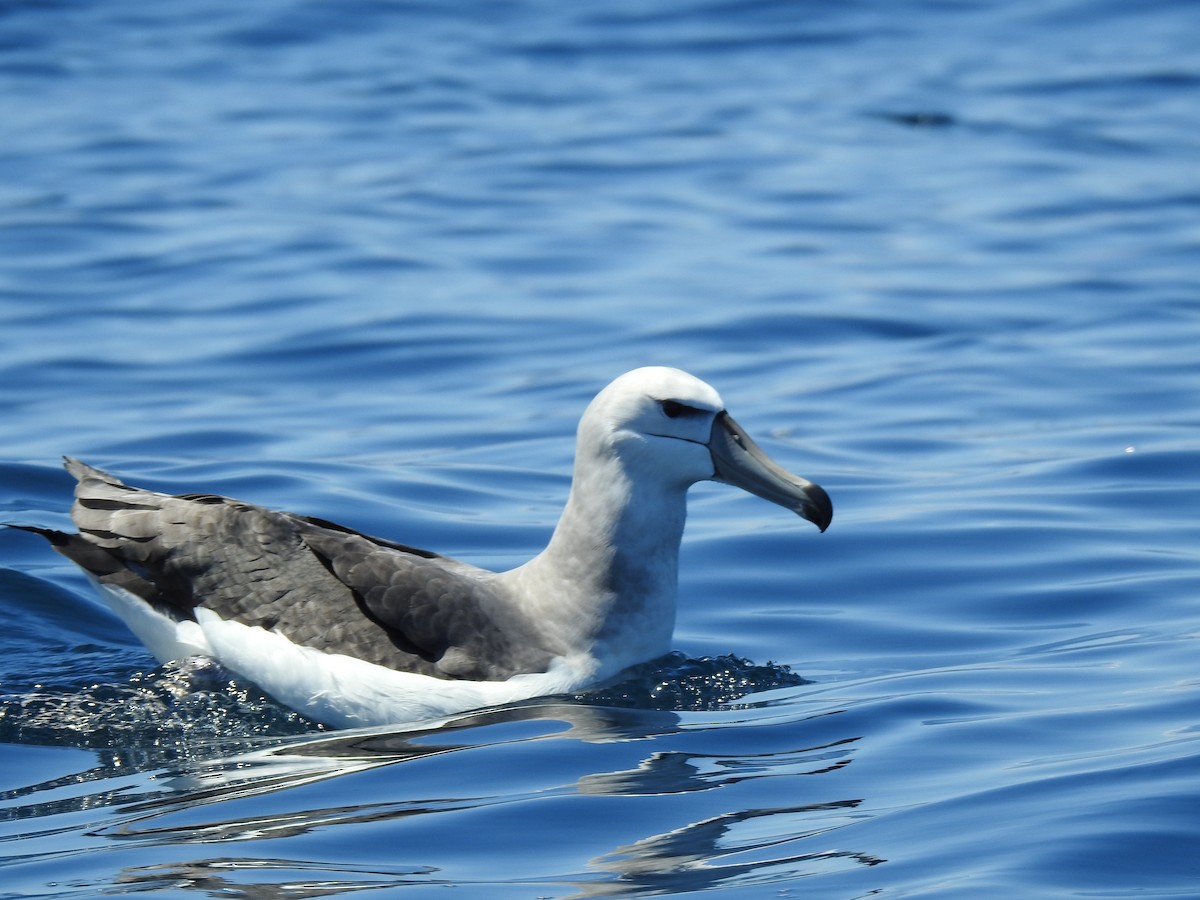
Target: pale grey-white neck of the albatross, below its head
608	579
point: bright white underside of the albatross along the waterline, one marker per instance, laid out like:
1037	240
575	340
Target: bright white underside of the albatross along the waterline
333	689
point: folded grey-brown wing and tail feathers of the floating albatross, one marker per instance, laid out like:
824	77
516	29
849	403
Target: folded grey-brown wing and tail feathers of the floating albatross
320	585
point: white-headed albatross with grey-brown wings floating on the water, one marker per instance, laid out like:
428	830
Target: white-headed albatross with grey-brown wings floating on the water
356	631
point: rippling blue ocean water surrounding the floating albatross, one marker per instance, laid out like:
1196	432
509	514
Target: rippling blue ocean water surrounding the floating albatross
369	262
